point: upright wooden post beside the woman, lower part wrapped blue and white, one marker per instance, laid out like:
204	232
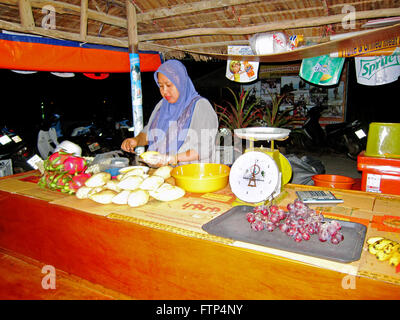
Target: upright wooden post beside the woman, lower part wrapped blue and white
136	83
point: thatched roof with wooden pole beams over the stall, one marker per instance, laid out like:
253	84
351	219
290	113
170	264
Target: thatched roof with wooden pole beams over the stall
202	28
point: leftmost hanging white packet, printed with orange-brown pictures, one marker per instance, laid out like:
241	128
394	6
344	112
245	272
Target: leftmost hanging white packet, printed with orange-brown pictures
241	71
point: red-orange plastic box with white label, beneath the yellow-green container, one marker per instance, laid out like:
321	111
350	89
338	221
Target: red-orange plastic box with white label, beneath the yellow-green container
380	175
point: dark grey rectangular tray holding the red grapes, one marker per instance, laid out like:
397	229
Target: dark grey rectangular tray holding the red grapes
234	225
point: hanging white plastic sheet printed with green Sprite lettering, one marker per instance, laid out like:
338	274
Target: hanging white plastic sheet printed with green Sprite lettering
375	71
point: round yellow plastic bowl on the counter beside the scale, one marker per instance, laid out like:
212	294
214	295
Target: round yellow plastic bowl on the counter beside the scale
201	177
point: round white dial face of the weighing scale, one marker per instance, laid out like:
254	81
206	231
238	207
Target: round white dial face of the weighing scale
254	176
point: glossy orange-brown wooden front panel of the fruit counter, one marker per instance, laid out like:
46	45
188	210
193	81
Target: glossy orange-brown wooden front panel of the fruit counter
142	260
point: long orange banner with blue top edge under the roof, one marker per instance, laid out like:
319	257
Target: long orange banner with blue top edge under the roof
24	52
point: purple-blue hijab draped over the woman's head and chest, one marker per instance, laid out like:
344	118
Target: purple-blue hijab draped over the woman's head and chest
173	118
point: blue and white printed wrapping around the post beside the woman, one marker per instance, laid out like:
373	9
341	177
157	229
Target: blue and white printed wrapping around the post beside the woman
136	89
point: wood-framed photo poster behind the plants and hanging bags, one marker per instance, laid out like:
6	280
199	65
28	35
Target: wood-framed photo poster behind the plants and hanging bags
301	95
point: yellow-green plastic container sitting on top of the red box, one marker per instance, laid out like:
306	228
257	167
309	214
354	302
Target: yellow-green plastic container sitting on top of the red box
383	140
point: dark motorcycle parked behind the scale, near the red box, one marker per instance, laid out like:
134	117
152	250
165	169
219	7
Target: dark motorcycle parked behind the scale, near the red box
345	137
